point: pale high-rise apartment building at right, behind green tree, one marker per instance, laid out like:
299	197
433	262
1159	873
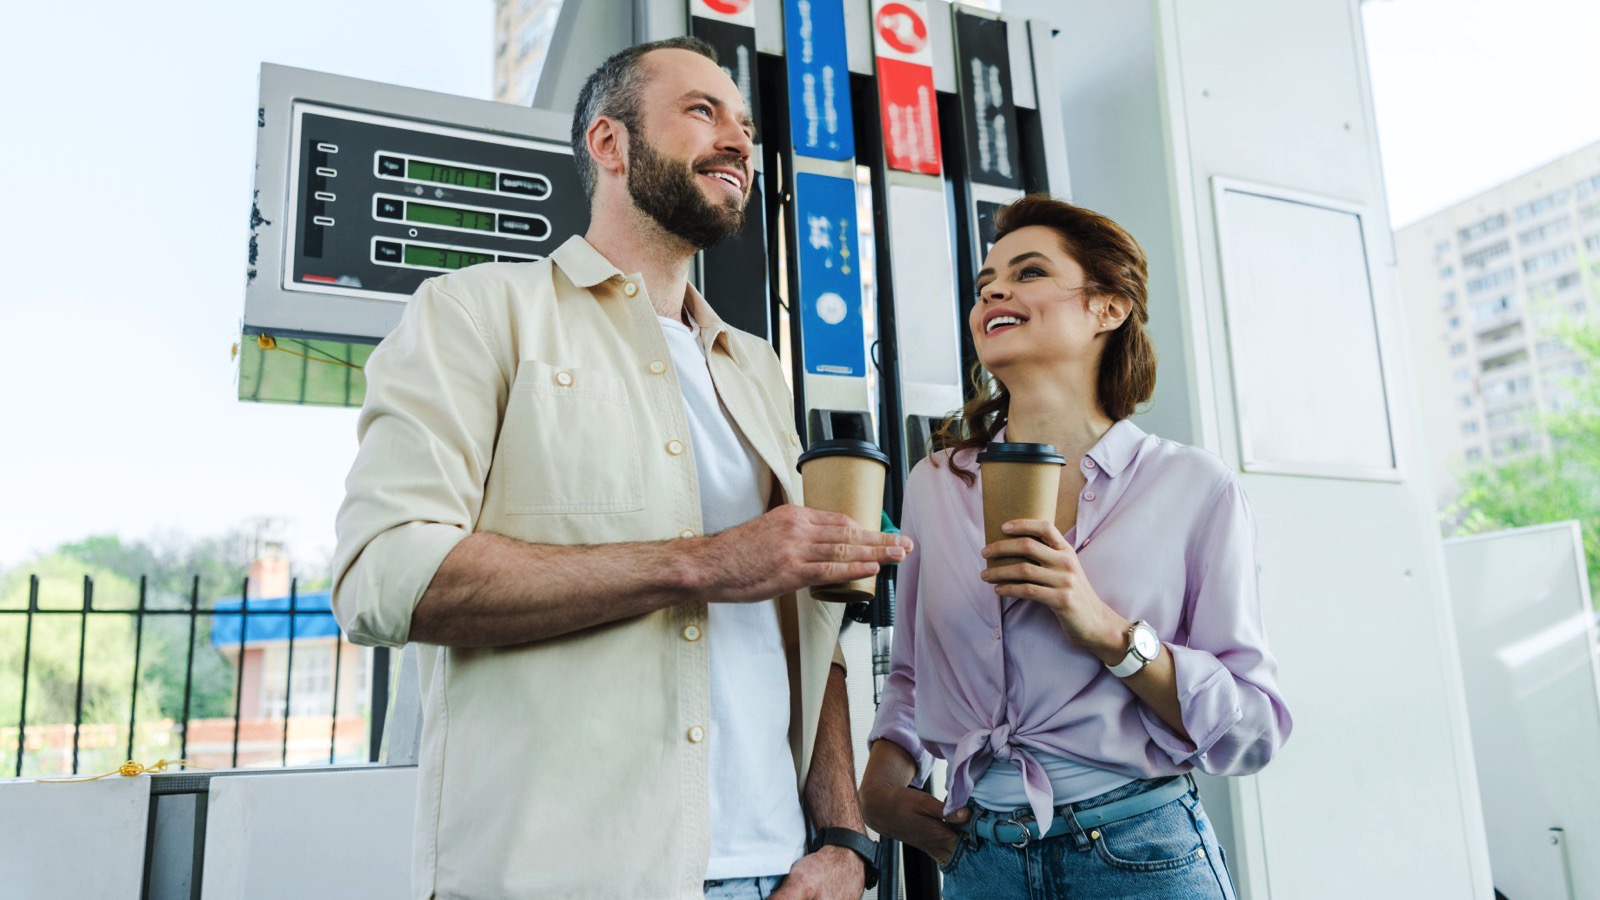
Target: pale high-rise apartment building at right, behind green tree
1487	286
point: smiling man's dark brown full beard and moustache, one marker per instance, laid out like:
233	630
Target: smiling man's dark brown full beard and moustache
670	193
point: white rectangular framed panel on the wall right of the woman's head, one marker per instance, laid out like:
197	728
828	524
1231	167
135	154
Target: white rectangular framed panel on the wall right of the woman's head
1308	376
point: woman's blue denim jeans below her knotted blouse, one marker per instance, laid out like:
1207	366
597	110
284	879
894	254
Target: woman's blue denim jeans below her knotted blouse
1169	853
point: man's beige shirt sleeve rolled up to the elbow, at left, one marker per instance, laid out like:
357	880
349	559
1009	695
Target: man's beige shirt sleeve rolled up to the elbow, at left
434	393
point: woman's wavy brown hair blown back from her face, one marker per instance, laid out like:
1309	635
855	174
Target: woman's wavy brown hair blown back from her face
1113	267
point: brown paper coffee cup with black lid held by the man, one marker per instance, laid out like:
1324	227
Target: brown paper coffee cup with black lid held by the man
846	476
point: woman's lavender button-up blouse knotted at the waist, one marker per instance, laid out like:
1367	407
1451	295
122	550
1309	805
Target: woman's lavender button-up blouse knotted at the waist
1164	534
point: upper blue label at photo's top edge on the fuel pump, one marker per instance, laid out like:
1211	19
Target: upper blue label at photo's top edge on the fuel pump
820	121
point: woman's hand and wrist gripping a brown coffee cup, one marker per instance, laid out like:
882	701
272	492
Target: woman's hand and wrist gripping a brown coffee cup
1057	581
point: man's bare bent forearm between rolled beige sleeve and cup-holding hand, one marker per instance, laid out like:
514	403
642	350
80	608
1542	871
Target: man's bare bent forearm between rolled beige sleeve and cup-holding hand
494	592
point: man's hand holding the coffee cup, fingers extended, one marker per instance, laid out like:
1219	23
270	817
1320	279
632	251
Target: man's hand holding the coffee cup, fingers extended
793	548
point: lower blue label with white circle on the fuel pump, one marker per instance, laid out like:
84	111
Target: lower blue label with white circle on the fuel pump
833	334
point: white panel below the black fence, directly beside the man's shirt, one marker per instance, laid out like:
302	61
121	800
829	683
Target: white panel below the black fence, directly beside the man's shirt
346	834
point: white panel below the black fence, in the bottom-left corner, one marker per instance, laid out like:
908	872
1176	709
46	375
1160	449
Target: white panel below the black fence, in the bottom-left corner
74	840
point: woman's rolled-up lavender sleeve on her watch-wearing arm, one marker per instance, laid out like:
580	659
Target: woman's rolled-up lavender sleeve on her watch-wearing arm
1226	675
